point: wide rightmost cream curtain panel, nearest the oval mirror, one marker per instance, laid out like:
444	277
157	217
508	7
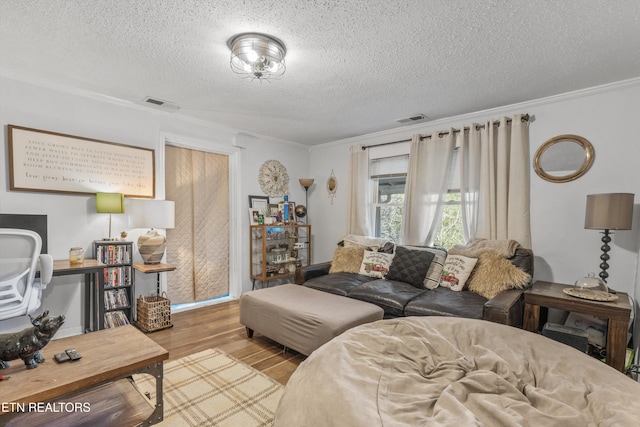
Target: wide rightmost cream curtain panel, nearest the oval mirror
495	180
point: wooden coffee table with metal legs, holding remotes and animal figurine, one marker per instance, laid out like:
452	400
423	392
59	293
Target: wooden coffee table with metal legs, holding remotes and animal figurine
107	355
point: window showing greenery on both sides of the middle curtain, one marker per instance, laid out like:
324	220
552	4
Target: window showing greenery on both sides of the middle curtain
388	178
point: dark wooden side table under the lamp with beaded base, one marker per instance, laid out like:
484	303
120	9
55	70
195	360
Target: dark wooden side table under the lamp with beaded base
543	295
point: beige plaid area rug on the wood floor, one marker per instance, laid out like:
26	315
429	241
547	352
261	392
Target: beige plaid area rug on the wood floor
212	388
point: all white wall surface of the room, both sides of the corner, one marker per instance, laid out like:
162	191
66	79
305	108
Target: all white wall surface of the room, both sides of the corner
564	249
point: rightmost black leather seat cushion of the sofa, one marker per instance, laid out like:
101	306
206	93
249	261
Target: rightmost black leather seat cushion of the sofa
445	302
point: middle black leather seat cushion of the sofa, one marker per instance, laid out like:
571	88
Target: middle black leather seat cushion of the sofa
391	295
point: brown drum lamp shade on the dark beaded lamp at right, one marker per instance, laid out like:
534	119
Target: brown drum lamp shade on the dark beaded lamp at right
609	211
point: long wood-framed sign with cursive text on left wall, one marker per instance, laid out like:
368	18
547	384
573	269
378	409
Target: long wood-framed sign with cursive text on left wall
55	162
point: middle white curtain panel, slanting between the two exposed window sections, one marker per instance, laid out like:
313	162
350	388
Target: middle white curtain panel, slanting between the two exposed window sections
426	188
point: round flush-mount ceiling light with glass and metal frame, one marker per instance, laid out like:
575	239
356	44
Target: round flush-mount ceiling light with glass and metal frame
257	56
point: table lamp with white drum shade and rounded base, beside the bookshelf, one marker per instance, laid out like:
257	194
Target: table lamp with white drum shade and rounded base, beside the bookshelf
144	213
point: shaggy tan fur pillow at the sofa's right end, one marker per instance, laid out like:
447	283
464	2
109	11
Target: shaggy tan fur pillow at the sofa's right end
494	274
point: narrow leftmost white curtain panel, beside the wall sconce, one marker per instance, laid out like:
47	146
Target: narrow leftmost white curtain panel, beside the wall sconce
358	214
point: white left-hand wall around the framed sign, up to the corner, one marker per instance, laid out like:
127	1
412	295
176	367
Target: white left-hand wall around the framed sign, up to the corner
72	220
